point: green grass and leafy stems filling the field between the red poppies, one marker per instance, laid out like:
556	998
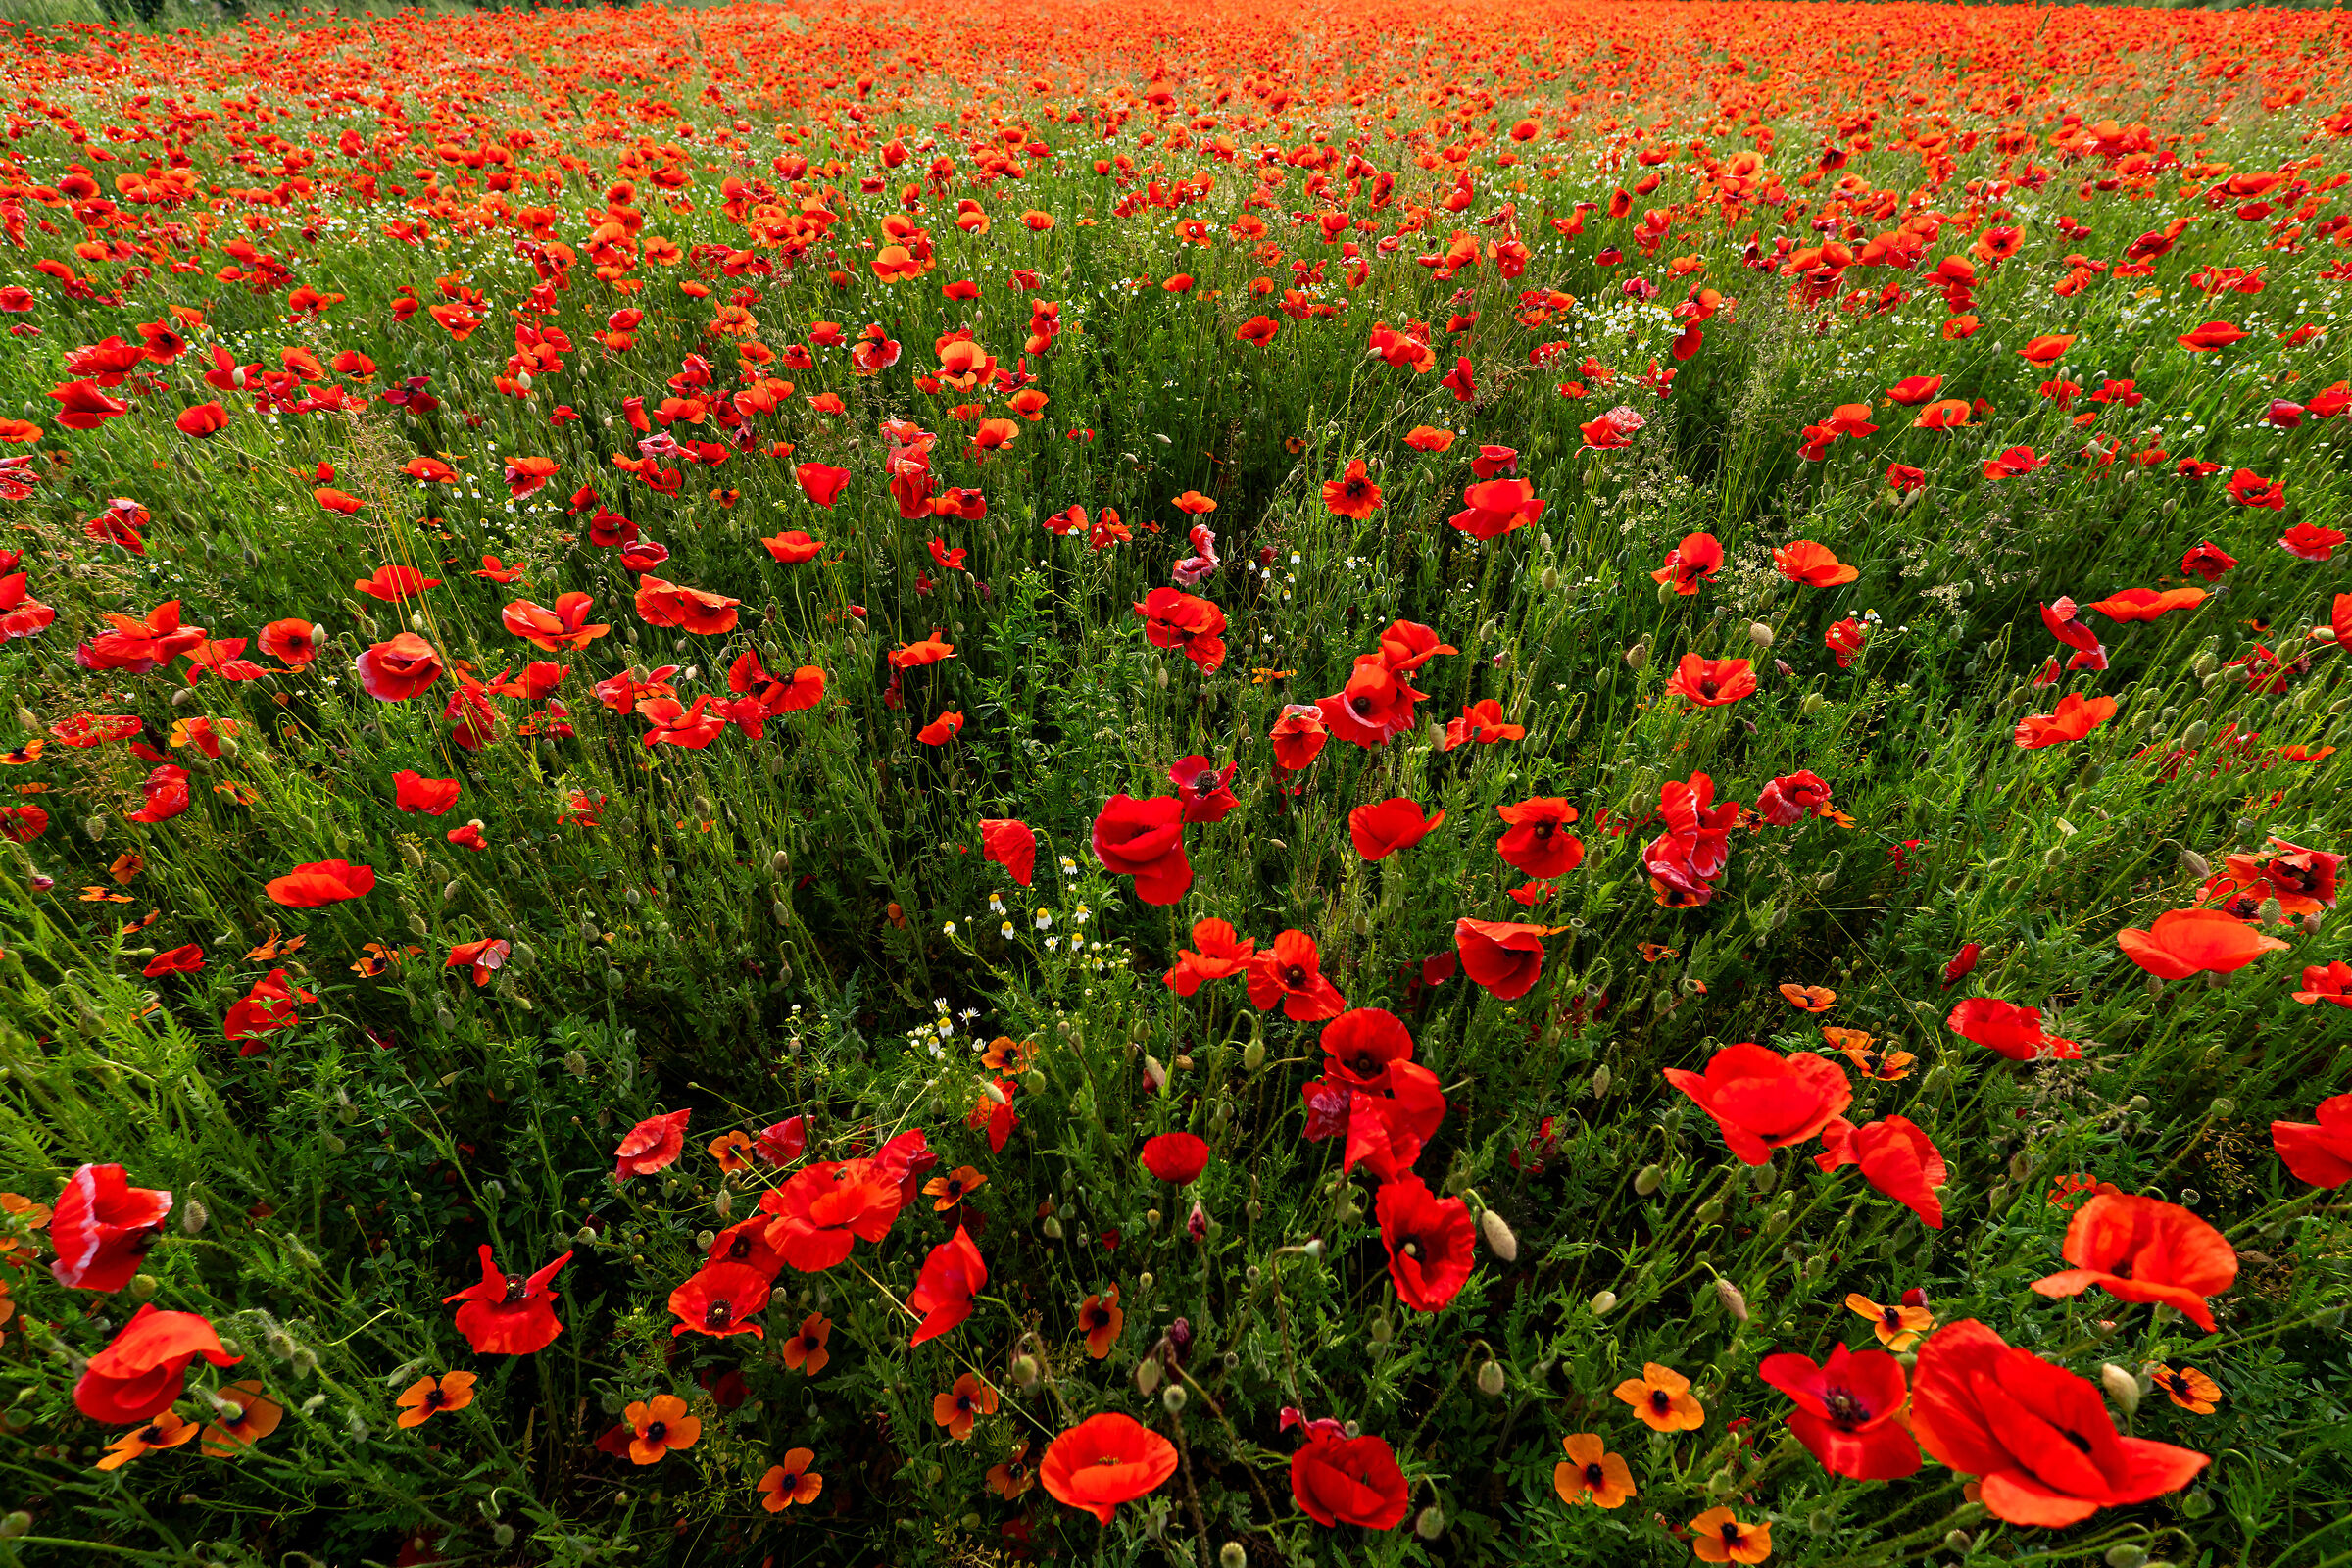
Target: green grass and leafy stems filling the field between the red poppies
806	925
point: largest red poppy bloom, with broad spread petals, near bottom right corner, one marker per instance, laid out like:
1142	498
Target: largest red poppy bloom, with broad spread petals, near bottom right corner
2036	1435
